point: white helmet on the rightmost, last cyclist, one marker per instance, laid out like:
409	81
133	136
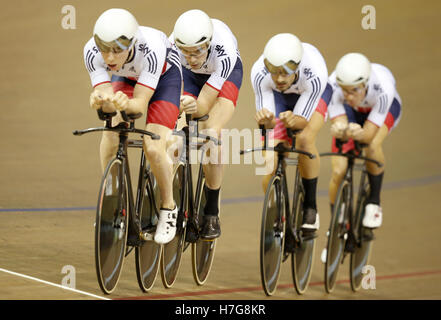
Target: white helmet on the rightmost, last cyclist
353	69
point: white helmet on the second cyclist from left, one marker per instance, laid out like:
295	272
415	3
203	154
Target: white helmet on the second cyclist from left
193	28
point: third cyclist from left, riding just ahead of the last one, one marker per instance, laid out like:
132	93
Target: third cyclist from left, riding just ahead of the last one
291	91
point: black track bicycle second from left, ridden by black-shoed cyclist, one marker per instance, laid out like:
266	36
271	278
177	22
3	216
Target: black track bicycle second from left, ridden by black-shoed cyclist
191	203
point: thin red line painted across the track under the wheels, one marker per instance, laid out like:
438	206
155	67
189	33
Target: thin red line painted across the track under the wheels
249	289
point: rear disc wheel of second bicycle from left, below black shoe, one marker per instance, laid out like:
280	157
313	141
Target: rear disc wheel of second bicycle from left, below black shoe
202	251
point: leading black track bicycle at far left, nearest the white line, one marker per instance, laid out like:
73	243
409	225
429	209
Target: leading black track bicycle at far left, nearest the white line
122	222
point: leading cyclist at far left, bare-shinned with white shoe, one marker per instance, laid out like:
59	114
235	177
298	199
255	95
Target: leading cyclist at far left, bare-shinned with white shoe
145	78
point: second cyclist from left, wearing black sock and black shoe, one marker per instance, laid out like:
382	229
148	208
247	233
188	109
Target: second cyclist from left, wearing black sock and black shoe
212	73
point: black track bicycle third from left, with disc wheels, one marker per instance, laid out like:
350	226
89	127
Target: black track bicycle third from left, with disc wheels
281	234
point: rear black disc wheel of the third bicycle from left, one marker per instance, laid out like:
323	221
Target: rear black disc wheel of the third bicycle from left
303	257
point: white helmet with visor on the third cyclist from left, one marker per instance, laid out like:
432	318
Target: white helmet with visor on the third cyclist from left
283	50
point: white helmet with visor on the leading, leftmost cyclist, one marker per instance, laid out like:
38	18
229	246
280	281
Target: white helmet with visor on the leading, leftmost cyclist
115	28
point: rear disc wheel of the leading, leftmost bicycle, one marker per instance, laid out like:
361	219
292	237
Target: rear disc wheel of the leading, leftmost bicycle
147	256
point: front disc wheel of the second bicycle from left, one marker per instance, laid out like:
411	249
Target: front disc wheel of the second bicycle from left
172	251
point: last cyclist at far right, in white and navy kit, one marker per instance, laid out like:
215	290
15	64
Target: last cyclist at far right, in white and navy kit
365	107
